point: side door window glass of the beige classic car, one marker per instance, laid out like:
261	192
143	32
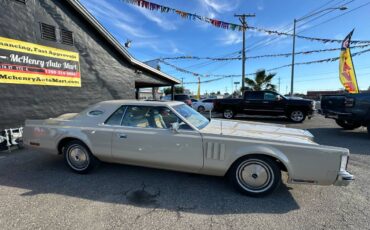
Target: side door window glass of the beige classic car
149	117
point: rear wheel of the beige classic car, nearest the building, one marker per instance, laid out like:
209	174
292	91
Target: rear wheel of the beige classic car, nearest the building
78	157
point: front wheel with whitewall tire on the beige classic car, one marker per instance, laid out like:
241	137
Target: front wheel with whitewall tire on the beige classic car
255	176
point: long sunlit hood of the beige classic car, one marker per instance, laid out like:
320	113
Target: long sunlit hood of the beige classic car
258	130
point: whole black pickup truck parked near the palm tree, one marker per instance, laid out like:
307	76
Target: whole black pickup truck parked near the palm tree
266	103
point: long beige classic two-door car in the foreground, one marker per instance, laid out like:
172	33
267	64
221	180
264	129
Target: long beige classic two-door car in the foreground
171	135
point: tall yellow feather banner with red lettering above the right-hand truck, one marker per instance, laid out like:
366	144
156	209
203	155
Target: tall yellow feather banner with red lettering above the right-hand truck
347	73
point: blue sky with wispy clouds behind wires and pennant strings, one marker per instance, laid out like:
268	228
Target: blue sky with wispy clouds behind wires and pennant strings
156	34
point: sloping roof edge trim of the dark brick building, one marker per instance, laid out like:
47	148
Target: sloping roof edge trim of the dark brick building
116	44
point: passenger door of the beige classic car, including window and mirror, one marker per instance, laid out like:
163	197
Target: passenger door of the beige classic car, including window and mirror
145	138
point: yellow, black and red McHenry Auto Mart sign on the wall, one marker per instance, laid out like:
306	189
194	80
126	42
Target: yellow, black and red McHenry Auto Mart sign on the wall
32	64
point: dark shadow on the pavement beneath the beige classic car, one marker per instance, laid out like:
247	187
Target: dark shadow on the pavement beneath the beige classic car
137	186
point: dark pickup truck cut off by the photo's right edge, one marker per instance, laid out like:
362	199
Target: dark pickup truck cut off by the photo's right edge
350	111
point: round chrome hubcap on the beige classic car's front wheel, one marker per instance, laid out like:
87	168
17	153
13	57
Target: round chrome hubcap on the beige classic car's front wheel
255	175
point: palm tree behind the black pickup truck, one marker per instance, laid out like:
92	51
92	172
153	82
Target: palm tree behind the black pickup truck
261	81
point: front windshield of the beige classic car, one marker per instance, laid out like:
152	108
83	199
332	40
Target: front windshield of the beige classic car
192	116
